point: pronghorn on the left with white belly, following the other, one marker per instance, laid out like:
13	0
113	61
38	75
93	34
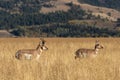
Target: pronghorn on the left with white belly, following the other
31	53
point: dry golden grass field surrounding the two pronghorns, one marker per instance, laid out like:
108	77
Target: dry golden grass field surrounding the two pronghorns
58	62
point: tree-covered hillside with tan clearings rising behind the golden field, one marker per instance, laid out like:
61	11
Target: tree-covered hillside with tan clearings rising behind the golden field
20	15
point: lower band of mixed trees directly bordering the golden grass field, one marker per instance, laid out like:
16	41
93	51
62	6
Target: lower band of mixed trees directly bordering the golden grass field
65	30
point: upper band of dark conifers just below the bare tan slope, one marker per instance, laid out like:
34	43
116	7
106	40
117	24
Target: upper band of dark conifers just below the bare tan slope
8	21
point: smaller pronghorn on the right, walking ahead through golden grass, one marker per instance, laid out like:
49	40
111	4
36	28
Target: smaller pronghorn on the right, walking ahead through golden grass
83	52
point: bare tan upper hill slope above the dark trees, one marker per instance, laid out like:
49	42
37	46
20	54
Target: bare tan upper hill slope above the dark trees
104	12
